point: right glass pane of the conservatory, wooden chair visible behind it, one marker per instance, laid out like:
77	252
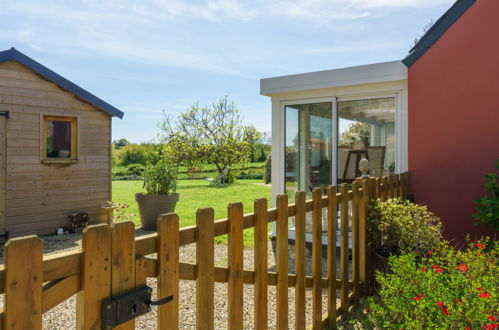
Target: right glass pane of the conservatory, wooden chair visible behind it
366	130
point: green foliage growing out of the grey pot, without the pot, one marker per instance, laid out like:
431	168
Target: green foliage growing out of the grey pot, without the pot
160	179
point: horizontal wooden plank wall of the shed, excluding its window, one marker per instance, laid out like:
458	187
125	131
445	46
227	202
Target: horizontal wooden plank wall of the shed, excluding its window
39	197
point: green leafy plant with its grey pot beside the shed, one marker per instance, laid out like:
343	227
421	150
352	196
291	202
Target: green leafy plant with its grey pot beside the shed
160	184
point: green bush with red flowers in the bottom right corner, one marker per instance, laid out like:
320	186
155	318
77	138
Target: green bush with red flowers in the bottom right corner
448	289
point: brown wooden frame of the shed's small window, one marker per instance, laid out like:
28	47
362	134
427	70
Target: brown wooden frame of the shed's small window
74	139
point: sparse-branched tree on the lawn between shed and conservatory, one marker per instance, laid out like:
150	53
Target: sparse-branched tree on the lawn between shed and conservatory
209	135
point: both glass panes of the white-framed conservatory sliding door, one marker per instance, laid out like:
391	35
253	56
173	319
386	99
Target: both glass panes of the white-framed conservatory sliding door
363	128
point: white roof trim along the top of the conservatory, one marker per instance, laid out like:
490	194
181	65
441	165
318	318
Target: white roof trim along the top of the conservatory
355	75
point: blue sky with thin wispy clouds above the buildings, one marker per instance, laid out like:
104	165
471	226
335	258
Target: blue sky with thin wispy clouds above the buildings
152	55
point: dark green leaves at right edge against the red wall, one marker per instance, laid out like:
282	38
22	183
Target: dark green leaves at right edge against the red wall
488	206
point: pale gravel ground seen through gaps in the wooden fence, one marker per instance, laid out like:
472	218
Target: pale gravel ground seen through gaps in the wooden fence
63	315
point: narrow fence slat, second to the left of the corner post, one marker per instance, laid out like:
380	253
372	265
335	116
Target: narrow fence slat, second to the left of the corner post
344	248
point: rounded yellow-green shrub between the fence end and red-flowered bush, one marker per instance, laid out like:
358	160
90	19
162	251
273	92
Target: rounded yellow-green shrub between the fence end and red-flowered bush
404	226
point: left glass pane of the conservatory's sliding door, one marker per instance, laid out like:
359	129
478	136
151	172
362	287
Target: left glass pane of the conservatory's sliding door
308	149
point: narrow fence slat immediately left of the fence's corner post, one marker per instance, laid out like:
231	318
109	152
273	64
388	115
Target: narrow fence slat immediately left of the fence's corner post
355	241
